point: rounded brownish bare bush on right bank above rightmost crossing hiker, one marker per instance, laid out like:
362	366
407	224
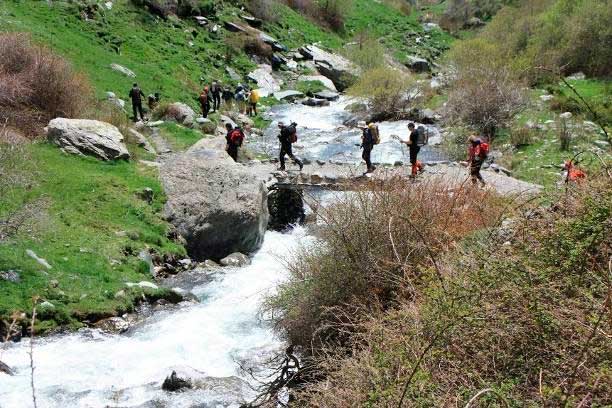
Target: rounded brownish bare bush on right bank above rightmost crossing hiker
485	98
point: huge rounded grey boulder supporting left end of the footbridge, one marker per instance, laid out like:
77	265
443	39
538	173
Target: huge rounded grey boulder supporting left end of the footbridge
217	205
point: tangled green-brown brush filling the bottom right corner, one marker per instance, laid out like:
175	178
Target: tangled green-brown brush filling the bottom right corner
522	313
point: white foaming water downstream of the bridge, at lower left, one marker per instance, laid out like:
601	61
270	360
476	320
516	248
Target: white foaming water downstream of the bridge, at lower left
92	369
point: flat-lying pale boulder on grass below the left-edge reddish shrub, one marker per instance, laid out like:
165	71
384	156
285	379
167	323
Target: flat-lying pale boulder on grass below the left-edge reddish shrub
87	137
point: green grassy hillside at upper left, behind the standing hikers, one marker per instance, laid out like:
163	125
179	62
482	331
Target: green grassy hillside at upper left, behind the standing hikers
157	51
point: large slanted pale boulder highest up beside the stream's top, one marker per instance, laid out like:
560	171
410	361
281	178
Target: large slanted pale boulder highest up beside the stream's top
342	72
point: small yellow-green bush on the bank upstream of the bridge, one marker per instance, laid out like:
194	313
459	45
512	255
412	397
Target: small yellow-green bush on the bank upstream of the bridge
388	91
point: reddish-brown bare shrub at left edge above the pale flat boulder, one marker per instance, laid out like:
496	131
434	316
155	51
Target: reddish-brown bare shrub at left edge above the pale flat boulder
37	85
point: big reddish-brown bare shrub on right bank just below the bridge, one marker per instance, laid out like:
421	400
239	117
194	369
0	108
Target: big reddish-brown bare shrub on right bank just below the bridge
377	246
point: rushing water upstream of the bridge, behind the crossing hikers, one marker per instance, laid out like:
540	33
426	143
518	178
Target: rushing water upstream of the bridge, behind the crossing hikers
323	136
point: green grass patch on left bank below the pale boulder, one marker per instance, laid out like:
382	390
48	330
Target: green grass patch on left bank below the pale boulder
92	230
